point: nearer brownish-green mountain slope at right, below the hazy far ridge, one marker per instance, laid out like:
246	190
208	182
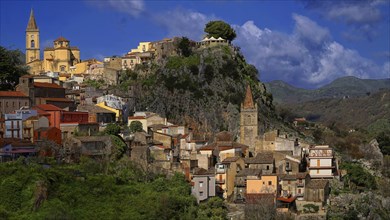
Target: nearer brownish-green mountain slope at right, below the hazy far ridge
356	112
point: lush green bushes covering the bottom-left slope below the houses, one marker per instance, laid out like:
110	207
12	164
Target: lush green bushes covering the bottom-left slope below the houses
48	191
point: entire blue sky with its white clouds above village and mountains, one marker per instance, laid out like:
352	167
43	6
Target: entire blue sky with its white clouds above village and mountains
305	43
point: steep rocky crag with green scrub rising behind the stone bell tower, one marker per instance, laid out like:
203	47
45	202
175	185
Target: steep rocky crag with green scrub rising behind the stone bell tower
203	90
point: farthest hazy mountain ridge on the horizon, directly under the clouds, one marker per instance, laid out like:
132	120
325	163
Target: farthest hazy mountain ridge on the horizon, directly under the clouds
349	86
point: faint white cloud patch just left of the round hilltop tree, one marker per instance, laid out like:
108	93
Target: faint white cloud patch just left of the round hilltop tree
182	22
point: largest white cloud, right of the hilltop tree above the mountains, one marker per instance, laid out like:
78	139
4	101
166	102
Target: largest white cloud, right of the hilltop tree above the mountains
307	57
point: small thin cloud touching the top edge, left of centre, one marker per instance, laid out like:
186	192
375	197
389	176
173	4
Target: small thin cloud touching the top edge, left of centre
133	8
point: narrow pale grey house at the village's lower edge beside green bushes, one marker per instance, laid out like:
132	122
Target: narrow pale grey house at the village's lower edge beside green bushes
203	184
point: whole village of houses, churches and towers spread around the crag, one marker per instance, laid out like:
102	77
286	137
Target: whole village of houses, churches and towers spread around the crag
55	113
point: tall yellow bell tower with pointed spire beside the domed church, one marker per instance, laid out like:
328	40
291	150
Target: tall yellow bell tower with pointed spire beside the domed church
32	40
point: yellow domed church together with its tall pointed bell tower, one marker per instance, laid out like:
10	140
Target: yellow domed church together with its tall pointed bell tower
59	58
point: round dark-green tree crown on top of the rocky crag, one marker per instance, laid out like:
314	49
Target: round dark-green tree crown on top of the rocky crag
221	29
